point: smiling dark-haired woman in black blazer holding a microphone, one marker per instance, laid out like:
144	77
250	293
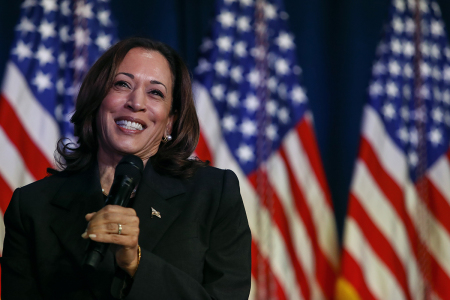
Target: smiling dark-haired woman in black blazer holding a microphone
186	235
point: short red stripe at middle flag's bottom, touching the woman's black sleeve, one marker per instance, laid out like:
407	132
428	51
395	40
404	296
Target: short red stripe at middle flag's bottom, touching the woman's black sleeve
269	283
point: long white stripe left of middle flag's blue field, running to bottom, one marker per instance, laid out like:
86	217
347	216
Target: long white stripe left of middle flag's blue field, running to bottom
274	248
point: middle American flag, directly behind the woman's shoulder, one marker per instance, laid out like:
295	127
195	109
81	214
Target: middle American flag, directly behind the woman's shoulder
254	119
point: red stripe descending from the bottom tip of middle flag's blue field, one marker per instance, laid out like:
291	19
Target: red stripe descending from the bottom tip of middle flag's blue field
275	208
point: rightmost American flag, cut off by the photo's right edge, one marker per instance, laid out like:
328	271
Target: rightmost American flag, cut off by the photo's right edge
397	231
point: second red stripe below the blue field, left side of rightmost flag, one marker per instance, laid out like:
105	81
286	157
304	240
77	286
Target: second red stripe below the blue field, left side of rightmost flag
378	242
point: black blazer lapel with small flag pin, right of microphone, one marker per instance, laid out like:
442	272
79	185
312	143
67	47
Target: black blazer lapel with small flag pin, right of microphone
166	196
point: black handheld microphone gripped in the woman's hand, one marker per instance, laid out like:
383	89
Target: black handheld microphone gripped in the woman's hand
126	177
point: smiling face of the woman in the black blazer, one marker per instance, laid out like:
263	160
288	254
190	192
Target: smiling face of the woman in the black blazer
135	113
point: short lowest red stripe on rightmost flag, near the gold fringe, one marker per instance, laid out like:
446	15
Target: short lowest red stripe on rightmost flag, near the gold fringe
353	274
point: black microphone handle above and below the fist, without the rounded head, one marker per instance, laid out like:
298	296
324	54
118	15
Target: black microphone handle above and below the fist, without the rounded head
119	195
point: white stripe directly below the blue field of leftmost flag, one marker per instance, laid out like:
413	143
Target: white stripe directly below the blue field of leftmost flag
39	124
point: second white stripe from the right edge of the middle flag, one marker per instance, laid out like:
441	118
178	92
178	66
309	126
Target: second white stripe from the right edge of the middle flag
278	177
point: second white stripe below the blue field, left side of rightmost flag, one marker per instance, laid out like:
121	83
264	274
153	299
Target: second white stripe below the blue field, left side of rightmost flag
385	218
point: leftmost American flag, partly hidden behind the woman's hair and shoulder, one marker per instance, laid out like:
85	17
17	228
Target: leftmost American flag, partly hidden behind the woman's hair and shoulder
55	44
